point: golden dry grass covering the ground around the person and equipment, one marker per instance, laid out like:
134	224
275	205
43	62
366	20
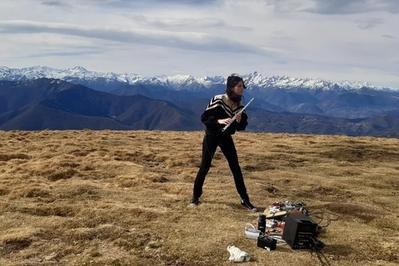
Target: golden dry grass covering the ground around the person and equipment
120	197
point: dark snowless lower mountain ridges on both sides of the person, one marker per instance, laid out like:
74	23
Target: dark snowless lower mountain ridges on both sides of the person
55	104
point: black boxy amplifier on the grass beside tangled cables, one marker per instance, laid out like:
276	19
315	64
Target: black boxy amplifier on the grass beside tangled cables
299	231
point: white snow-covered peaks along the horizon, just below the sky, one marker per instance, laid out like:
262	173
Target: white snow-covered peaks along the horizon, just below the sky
178	81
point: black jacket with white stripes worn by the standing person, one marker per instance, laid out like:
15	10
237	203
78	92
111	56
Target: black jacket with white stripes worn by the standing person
216	109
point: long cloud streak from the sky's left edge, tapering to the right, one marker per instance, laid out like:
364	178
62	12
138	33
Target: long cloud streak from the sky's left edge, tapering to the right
183	40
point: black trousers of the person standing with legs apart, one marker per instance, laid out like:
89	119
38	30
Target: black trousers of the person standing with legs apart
226	144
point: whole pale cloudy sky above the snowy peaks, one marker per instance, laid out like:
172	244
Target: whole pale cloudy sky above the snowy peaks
329	39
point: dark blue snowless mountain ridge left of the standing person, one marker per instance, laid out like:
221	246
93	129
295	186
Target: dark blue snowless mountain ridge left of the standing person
76	106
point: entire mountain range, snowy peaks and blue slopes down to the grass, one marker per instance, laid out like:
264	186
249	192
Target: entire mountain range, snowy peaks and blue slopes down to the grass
37	97
